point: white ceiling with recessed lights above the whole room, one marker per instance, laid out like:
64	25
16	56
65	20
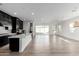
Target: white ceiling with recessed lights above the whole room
42	12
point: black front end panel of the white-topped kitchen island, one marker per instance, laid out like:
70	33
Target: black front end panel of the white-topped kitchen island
14	44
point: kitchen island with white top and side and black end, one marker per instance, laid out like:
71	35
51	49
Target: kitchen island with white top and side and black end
18	43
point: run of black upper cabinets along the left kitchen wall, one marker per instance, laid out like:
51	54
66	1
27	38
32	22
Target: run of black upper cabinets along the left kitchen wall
7	21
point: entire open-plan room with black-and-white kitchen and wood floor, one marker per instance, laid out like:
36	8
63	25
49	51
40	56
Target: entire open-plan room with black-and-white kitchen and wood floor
39	29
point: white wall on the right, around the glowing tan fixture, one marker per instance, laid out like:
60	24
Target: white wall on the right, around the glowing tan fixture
65	29
